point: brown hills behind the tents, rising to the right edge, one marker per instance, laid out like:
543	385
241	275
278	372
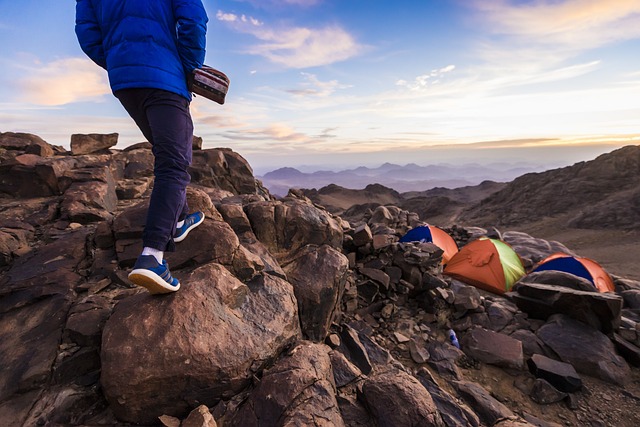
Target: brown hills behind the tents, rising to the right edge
603	193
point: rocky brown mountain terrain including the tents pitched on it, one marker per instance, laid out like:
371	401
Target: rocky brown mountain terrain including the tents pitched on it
302	311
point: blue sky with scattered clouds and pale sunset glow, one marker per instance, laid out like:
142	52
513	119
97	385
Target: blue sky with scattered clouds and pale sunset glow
329	84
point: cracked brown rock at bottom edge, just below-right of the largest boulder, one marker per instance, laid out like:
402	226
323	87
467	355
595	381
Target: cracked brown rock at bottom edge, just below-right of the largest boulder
297	391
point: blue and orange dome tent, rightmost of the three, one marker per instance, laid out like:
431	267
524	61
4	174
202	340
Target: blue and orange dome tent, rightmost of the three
581	267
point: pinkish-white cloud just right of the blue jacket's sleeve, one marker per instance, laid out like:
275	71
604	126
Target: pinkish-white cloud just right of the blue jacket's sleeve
295	47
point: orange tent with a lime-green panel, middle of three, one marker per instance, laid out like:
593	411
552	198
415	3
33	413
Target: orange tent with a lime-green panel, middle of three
487	264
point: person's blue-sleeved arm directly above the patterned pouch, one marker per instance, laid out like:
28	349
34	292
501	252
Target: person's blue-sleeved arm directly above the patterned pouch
192	31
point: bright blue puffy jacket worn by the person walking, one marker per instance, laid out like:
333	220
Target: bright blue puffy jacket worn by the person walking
144	43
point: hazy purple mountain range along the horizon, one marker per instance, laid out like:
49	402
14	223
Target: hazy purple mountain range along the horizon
410	177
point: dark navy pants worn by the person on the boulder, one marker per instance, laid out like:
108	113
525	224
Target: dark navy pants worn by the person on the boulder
165	120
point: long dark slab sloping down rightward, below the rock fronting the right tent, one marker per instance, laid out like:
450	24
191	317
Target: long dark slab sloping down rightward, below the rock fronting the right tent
587	349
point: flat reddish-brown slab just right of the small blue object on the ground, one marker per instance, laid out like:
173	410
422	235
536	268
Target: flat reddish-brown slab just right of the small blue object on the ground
493	348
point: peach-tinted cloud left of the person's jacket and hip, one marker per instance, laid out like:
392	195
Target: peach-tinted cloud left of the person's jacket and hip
61	82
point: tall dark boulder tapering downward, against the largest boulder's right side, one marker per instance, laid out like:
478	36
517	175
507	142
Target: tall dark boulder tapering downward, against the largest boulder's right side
318	276
